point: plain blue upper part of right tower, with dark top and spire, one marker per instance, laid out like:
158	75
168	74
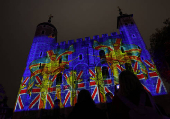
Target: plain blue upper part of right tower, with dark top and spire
130	32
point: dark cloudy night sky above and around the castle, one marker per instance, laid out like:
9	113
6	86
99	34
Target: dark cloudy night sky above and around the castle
73	19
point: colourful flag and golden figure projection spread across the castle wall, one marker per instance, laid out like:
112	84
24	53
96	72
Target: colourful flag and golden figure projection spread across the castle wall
62	73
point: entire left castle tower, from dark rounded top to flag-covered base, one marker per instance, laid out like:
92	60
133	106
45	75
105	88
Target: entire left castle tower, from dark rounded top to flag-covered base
45	39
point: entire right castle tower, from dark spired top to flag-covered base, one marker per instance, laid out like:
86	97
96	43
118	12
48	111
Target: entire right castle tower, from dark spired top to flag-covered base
131	35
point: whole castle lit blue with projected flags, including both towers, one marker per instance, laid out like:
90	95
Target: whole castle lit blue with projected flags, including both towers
59	71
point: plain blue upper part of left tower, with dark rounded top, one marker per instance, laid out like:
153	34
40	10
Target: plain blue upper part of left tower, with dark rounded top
45	37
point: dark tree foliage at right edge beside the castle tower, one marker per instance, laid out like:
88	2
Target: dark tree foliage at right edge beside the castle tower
160	49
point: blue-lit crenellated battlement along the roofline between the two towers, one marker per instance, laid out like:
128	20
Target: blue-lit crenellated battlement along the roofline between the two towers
87	39
